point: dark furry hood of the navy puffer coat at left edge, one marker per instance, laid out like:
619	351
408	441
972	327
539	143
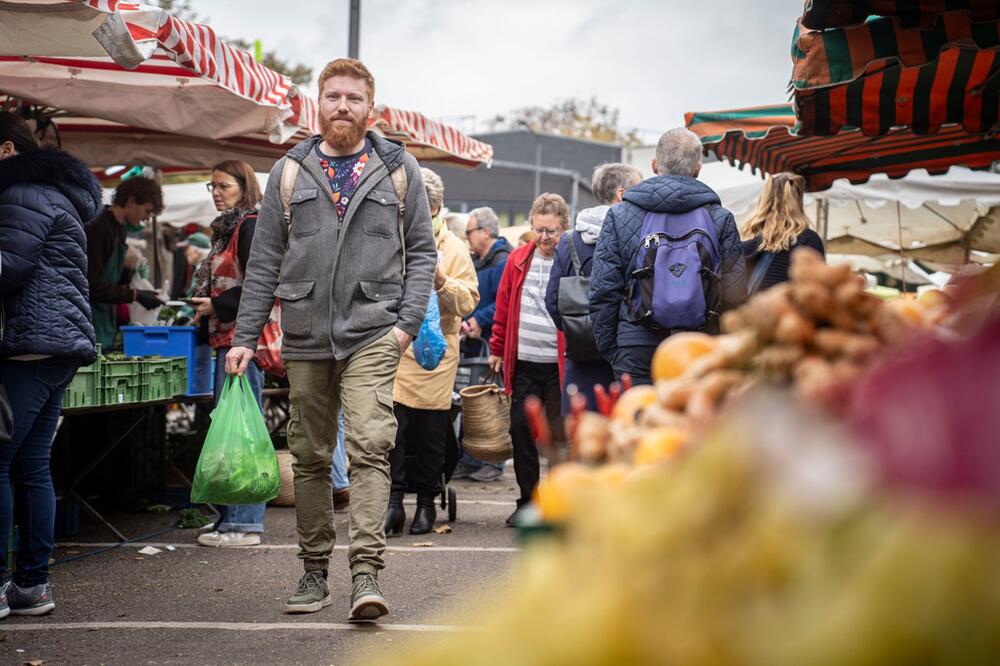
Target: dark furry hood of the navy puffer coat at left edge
58	170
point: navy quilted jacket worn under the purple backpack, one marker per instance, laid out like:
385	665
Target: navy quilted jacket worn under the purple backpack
619	241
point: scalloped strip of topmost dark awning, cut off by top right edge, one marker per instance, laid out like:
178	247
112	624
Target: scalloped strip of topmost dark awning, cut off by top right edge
823	14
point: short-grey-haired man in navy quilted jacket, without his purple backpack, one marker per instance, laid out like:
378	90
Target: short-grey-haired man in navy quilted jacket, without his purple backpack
627	344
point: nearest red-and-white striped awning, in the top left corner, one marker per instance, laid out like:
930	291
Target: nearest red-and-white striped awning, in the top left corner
138	65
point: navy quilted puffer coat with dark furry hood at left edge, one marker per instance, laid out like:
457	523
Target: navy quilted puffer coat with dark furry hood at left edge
45	198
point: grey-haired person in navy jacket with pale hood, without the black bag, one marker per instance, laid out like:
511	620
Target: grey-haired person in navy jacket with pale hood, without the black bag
609	184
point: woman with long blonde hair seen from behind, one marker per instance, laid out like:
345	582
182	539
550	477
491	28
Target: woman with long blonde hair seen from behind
775	229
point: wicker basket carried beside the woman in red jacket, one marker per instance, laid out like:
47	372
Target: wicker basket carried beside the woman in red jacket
486	423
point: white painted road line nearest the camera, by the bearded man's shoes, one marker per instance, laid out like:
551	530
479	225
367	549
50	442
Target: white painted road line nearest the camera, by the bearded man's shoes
233	626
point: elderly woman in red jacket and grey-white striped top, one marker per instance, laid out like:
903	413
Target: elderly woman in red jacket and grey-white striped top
526	345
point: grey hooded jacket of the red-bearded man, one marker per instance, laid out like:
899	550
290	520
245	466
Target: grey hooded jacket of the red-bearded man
341	285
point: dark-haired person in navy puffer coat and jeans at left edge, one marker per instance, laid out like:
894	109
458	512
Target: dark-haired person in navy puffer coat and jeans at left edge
45	335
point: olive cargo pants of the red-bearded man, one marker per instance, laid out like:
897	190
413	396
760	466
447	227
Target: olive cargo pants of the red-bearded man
362	386
